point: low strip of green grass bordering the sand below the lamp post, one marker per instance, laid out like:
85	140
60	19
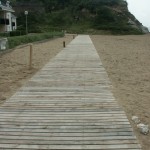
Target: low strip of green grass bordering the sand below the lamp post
18	40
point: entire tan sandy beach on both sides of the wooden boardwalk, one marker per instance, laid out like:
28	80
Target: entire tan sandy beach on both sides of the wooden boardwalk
125	58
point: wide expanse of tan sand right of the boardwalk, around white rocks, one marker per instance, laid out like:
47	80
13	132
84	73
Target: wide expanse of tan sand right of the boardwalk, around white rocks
127	62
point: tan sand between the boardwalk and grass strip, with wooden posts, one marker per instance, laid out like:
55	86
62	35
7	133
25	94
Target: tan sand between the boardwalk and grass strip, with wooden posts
14	65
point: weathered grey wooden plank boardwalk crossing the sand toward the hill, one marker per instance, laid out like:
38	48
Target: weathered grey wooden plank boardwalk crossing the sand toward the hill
67	105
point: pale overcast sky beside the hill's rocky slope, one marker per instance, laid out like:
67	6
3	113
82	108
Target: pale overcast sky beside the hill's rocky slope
141	10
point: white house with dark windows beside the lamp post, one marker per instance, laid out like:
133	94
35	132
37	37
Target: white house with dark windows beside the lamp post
7	19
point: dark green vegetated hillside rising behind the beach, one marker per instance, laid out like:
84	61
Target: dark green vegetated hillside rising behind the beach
77	16
